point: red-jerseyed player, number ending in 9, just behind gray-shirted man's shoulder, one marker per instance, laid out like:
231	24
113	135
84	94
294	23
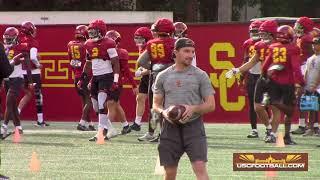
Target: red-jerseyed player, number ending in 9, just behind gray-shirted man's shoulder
157	57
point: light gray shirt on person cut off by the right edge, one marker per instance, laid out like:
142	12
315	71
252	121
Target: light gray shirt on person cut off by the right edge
313	72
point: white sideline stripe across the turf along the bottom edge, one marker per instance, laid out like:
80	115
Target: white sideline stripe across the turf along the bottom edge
179	174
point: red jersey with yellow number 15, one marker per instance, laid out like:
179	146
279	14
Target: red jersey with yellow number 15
77	56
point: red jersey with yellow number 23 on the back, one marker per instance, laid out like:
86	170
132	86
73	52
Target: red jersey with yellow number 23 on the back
287	55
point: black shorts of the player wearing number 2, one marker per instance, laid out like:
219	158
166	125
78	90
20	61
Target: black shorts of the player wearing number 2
101	83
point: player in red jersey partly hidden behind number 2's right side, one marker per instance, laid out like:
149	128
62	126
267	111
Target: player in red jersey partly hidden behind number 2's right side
125	75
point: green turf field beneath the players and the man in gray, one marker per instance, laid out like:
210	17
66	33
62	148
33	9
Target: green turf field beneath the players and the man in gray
66	153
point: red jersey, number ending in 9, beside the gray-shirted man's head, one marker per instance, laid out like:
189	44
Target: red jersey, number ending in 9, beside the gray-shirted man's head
160	50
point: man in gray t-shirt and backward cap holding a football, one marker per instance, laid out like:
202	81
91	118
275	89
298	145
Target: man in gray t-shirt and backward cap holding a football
183	84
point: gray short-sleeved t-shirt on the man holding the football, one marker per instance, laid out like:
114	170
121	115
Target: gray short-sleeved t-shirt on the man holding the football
189	87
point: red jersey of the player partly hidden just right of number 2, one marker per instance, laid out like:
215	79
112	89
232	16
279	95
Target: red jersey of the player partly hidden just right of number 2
125	74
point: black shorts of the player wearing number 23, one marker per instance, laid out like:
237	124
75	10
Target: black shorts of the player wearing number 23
280	93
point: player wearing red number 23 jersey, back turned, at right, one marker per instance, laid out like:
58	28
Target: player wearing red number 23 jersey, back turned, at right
282	69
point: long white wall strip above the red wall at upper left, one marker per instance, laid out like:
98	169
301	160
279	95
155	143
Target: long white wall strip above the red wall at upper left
82	17
